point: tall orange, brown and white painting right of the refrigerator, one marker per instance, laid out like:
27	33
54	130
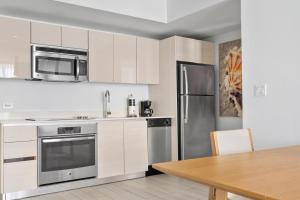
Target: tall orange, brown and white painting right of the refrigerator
230	72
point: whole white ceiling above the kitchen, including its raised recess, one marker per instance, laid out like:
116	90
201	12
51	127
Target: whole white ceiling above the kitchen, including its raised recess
193	18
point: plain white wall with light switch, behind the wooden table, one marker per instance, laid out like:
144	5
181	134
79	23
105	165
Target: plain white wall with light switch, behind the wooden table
270	44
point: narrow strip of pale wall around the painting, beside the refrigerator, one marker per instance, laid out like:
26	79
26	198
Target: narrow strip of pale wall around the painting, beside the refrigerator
224	123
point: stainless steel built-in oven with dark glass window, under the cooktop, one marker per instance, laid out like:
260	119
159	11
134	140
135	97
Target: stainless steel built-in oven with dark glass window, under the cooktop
66	152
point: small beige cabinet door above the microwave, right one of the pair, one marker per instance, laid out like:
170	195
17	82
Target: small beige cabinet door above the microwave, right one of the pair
74	37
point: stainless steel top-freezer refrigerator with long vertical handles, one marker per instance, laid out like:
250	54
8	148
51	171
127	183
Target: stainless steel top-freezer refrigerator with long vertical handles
196	109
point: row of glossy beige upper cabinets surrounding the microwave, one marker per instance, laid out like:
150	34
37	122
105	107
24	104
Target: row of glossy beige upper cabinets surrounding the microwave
113	58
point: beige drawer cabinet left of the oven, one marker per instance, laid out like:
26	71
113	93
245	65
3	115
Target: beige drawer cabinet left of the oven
19	158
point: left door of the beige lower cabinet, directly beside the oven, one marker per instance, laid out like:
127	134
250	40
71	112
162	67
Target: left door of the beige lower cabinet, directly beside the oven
110	149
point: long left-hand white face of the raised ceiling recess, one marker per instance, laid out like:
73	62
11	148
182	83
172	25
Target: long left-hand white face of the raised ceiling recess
153	10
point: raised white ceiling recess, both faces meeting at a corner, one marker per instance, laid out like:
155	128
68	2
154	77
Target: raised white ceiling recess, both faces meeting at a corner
156	10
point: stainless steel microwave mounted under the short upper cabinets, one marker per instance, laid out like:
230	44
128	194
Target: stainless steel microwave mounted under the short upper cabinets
59	64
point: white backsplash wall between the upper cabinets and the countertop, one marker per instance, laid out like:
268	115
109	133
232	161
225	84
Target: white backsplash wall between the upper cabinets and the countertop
35	96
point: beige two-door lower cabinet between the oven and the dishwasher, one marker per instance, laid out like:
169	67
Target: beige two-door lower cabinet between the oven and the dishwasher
122	147
